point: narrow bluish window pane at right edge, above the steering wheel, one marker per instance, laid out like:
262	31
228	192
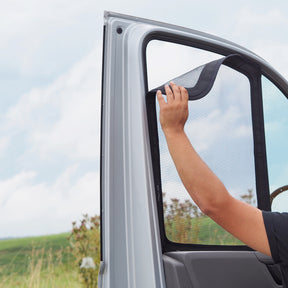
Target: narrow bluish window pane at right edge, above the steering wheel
276	133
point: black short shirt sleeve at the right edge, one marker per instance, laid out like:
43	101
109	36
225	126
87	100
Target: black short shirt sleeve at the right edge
276	225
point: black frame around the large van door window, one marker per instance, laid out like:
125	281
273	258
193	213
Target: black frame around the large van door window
252	71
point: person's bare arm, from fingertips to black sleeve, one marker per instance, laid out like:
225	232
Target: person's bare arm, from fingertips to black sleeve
240	219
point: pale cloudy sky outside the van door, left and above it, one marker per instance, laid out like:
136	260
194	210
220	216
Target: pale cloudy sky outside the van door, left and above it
50	86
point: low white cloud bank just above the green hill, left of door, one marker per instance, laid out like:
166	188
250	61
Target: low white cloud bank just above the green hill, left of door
31	208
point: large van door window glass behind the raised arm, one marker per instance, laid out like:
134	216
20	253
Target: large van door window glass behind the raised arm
220	129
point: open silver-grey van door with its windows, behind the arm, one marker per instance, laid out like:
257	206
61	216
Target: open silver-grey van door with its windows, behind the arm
153	235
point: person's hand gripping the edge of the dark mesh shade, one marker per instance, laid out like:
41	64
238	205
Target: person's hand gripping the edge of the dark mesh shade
174	112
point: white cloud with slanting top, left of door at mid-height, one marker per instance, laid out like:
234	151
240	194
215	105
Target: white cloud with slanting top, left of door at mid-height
63	117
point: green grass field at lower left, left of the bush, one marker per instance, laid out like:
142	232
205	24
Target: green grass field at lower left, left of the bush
44	261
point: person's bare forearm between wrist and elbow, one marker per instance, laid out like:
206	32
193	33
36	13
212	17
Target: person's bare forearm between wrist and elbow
202	184
